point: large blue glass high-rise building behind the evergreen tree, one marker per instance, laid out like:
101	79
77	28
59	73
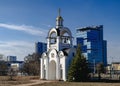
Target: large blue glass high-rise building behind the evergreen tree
93	46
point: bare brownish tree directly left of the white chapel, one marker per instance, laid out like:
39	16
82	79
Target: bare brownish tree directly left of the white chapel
32	64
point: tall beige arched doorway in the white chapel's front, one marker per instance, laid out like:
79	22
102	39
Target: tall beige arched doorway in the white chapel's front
52	70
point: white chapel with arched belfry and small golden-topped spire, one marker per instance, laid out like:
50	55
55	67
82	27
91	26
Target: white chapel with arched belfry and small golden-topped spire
56	60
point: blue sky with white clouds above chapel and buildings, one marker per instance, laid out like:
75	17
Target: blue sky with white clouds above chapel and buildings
24	22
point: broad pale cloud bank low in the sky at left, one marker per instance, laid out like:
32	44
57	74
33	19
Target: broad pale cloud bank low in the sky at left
17	48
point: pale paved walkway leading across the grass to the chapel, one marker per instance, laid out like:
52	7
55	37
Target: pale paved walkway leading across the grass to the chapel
34	82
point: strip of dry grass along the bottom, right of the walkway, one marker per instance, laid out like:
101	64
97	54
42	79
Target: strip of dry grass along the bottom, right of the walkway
77	84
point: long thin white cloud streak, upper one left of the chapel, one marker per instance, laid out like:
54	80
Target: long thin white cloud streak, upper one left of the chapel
28	29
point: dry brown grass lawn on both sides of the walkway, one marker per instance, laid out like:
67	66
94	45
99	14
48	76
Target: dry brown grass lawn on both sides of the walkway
4	81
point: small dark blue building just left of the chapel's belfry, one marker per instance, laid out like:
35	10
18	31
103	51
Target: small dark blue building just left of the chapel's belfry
40	47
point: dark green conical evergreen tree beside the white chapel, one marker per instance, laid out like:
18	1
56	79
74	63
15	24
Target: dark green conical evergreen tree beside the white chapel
78	70
